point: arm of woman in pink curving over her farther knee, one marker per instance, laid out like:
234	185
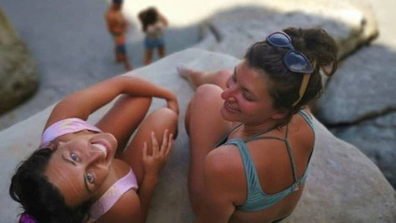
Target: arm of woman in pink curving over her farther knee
82	103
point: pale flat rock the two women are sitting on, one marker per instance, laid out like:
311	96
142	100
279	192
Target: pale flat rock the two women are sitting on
343	186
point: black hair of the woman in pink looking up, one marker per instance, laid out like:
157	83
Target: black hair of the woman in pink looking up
39	198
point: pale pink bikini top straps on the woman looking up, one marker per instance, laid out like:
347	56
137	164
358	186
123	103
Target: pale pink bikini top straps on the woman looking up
111	196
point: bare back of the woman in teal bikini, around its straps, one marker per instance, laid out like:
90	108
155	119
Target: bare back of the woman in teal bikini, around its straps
273	167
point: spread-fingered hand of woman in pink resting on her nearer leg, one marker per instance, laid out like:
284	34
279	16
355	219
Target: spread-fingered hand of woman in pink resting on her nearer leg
154	163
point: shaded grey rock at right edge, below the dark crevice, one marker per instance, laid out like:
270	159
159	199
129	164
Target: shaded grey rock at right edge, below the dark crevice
377	139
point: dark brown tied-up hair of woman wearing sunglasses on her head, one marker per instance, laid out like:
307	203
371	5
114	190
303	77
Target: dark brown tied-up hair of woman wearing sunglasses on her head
321	50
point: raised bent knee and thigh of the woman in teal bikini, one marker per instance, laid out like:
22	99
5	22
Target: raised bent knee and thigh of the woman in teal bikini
203	111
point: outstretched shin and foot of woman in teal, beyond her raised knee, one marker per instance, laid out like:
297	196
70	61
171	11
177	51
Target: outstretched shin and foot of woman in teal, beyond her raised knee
198	78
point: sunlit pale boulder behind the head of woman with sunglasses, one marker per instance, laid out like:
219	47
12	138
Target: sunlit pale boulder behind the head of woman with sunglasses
231	31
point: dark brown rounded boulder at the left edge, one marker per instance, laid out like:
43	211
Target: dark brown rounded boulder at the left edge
18	75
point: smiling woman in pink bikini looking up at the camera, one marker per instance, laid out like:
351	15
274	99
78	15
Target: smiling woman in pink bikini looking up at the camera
90	173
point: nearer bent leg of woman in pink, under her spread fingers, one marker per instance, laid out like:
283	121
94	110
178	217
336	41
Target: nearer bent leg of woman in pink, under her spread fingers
157	121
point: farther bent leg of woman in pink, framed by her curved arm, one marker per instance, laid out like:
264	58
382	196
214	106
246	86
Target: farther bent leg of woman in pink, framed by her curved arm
123	119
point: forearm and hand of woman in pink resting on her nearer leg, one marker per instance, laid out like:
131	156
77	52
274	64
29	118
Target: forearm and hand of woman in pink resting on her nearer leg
153	165
